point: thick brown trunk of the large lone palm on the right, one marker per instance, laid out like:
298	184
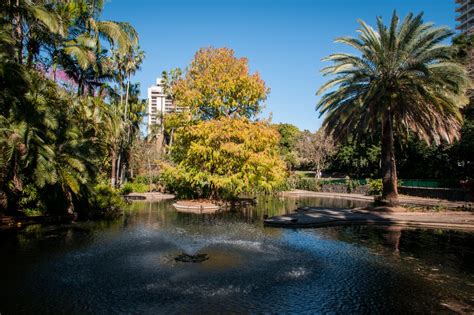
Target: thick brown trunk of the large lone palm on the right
389	168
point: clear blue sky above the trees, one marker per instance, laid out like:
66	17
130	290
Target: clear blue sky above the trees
283	40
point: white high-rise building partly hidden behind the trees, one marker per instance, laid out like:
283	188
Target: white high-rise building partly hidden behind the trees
158	104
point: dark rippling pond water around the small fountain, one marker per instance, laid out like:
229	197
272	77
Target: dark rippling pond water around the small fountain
127	265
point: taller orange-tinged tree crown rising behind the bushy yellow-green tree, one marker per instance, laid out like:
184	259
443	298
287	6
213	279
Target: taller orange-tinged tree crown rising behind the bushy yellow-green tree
218	84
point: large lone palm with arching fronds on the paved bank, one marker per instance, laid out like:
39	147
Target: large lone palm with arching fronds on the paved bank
402	81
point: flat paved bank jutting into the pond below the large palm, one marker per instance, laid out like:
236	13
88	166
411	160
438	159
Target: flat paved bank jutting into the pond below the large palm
308	217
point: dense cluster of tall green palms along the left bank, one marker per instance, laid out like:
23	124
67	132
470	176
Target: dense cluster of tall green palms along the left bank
69	112
